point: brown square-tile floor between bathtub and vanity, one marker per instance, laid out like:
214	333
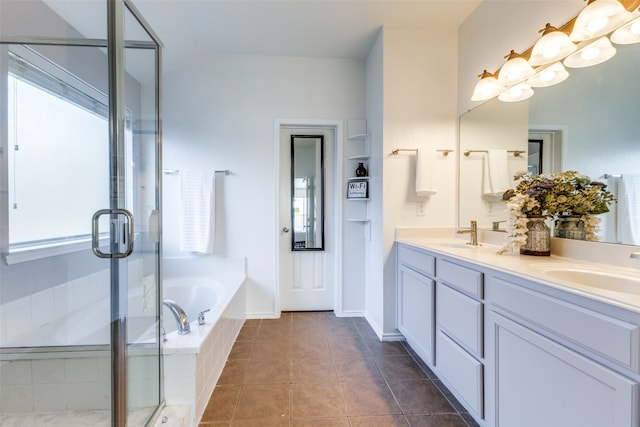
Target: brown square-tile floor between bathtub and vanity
316	369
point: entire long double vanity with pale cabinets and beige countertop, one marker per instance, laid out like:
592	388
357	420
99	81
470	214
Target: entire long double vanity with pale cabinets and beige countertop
527	339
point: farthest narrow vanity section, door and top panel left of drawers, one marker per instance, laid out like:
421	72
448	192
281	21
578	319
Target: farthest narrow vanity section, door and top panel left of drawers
416	299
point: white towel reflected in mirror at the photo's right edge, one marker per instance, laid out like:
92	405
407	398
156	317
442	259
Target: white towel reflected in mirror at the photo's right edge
628	229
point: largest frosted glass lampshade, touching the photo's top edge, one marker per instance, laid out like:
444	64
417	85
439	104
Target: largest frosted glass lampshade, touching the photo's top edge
599	18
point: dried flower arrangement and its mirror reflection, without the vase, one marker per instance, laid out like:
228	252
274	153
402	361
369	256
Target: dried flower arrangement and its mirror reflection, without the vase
567	193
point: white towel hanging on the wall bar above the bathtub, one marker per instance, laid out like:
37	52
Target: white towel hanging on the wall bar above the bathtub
197	211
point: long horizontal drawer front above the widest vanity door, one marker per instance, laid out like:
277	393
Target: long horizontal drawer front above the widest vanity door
611	338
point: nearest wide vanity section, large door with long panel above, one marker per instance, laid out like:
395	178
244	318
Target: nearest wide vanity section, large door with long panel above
551	362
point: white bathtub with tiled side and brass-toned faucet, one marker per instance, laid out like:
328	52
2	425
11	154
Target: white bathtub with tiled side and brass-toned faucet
193	362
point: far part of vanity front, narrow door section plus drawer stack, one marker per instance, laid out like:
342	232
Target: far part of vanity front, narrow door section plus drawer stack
440	313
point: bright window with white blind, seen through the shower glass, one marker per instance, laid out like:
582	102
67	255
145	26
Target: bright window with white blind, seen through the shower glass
55	119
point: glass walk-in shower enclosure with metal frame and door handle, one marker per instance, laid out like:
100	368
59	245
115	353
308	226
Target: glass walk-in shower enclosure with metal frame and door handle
80	193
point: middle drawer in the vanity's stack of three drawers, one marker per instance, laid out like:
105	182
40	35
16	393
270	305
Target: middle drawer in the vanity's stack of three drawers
460	317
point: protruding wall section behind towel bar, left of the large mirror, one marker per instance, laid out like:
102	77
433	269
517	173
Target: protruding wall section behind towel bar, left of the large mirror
415	70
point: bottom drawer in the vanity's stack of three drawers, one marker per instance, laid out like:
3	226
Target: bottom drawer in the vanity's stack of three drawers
461	372
